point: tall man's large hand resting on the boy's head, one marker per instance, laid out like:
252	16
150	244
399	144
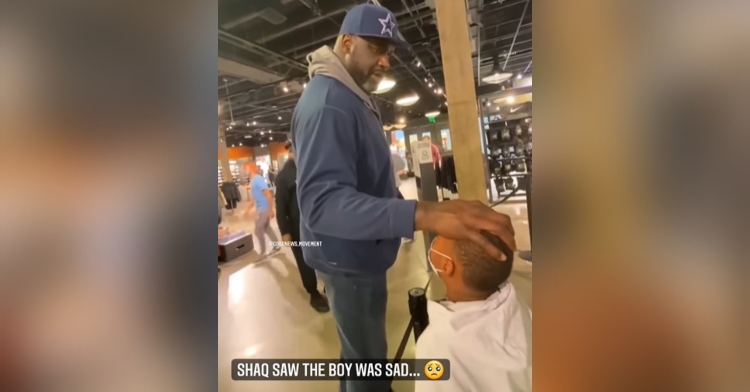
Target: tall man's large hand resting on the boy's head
463	220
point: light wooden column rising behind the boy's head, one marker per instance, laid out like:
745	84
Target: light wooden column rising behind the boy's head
455	45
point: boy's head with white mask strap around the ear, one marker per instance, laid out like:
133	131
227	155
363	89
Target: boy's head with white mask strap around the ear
465	269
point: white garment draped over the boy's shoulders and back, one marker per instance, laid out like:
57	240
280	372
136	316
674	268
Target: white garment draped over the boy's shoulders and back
487	342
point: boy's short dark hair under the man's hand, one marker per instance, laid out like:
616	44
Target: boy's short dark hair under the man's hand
481	271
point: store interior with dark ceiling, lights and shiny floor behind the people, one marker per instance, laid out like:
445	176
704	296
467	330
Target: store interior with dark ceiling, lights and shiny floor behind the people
263	310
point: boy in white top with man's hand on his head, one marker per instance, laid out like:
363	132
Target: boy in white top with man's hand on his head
481	327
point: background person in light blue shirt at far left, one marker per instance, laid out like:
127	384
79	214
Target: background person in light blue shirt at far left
264	209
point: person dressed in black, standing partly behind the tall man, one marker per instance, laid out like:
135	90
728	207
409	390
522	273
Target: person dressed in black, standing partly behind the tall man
288	218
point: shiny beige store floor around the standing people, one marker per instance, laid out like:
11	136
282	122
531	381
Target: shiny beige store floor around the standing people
264	311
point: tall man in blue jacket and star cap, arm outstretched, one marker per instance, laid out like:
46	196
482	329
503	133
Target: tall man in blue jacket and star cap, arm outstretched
347	196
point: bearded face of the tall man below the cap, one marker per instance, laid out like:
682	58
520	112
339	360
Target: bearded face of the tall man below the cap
367	60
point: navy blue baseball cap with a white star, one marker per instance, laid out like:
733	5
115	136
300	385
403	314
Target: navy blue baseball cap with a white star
370	20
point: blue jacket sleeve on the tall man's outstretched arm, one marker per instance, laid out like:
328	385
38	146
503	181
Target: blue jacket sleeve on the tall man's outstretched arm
327	150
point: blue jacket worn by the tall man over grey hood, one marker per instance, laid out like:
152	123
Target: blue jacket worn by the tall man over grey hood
345	186
